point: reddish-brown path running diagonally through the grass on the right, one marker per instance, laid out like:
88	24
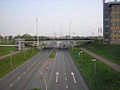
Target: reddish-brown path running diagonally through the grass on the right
111	64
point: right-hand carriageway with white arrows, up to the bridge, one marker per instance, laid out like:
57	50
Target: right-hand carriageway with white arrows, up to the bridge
63	74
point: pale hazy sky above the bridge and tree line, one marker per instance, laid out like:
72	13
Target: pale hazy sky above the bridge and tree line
19	16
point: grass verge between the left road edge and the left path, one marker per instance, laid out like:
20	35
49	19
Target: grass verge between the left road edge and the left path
17	59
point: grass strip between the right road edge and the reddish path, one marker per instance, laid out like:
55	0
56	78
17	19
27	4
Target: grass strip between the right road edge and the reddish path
106	77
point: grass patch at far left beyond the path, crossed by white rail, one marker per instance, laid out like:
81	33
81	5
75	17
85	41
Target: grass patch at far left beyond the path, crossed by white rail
6	50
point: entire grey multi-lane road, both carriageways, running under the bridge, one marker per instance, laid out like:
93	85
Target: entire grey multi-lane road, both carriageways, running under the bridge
59	73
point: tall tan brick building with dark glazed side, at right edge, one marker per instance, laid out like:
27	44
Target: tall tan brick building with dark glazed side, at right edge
111	22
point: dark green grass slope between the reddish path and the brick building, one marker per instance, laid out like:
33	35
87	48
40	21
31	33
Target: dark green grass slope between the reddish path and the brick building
108	51
